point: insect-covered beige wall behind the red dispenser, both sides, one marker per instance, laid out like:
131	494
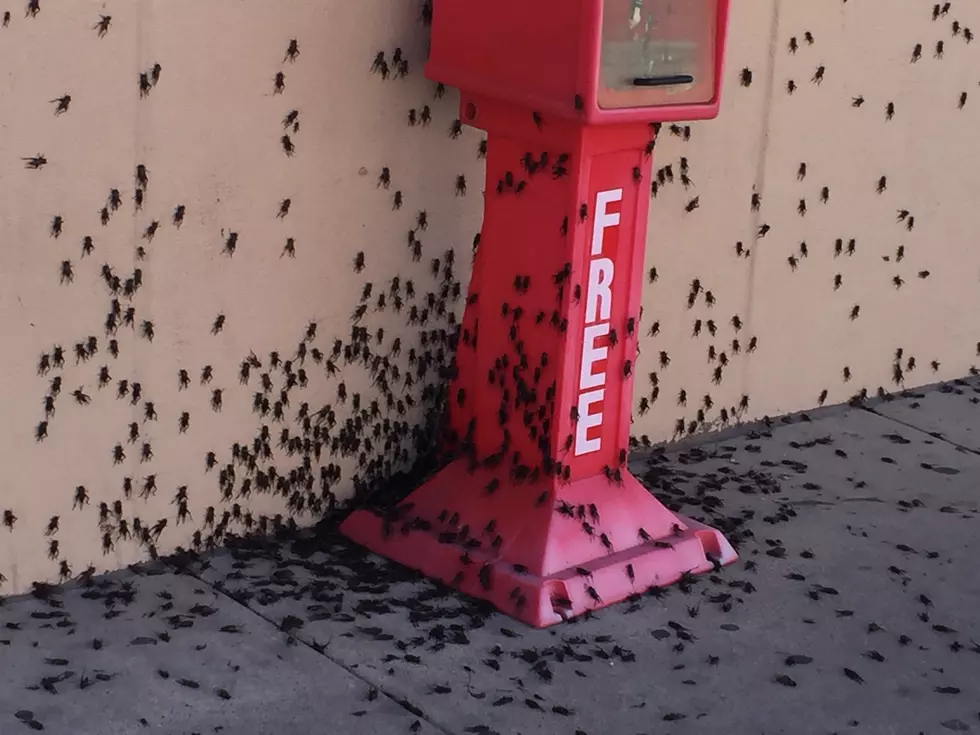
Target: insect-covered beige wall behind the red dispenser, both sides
180	211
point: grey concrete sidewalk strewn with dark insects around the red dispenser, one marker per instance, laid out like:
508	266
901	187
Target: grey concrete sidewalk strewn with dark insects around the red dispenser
853	608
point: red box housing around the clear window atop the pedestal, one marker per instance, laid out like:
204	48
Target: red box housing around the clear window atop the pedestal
545	55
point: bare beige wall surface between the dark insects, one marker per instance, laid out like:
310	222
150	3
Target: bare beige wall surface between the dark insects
209	135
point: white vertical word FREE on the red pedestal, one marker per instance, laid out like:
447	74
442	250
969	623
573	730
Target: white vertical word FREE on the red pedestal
598	310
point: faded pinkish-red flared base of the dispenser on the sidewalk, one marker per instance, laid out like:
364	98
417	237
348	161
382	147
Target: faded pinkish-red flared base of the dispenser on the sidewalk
538	552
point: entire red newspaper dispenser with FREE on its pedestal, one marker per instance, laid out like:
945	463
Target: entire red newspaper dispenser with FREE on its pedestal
538	512
